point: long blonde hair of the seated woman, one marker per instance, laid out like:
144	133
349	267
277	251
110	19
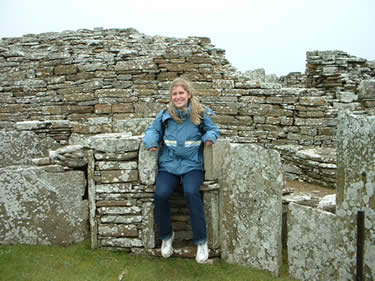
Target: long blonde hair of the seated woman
197	108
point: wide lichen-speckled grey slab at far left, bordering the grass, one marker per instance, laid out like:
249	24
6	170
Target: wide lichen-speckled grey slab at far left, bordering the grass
41	207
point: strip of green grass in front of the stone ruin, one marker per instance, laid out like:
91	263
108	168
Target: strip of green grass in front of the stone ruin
79	262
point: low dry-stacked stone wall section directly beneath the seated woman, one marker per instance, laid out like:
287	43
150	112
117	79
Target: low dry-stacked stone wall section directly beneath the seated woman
122	194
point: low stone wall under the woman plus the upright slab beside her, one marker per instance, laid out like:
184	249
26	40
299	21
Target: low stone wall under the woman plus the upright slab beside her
241	229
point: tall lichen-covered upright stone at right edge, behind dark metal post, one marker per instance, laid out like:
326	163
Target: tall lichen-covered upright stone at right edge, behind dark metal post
355	192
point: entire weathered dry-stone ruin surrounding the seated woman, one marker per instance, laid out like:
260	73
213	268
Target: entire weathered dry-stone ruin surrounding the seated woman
73	108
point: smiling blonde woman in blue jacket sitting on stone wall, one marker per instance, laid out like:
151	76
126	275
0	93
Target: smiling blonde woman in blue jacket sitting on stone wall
180	131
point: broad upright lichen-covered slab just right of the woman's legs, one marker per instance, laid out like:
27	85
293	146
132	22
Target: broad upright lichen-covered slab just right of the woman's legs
251	205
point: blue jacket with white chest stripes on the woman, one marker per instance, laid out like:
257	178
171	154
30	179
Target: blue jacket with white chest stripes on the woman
182	146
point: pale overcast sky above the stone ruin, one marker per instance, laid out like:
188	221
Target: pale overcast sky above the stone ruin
269	34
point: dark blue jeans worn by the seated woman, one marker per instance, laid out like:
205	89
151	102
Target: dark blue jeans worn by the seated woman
166	183
